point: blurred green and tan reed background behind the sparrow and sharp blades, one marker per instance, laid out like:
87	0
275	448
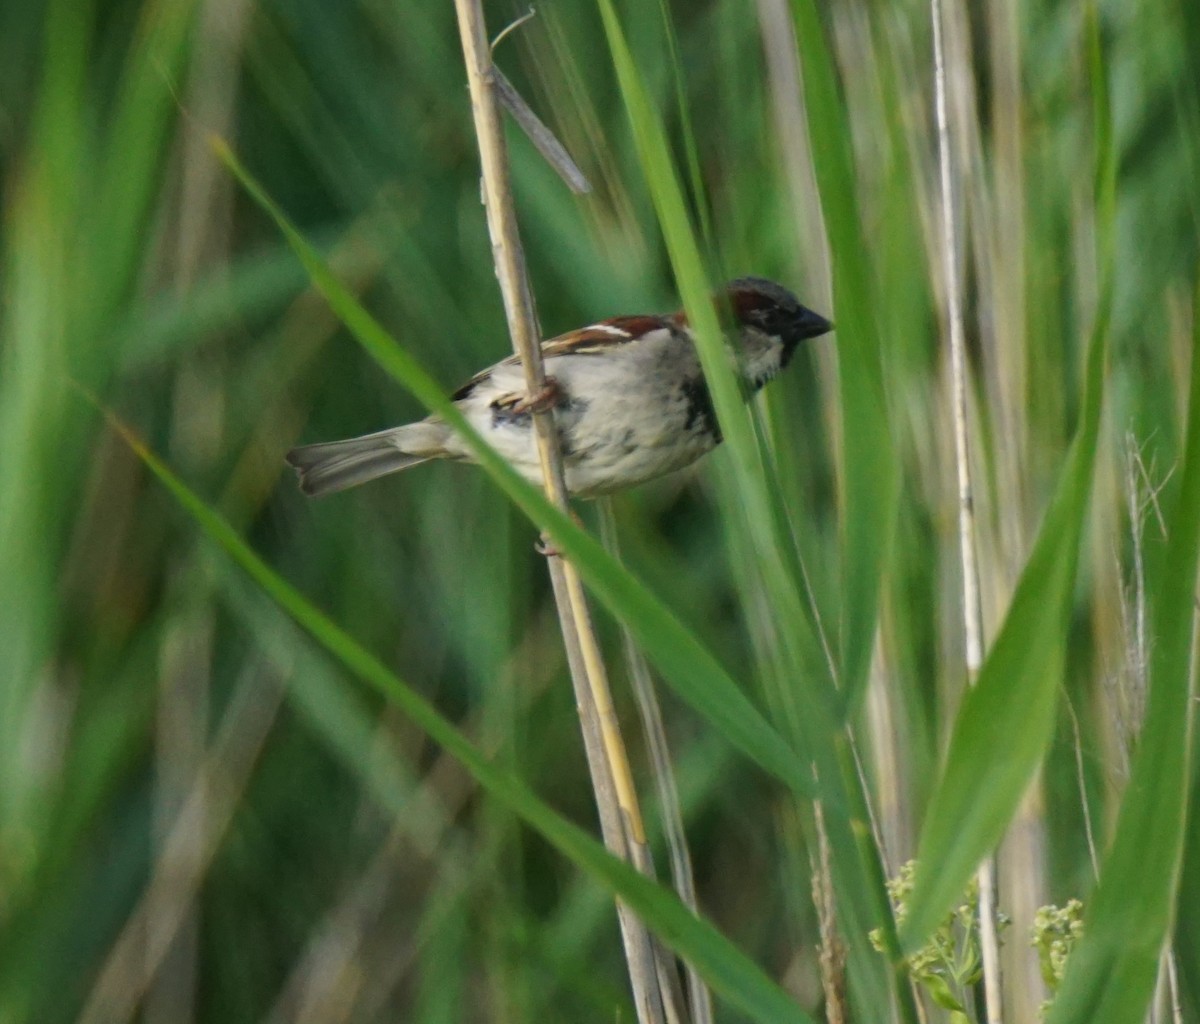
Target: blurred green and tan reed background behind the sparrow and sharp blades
202	817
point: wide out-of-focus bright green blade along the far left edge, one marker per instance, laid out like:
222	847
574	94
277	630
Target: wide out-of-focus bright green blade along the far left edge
35	415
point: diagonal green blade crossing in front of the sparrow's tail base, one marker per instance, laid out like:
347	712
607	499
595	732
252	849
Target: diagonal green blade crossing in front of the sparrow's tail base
682	660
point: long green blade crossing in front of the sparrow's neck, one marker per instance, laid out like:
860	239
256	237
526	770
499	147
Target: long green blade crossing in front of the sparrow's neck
801	686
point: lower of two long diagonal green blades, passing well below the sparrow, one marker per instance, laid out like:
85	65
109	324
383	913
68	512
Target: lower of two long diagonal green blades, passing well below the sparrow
724	967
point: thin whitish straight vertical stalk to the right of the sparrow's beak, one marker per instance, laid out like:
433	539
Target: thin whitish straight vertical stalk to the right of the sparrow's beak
973	618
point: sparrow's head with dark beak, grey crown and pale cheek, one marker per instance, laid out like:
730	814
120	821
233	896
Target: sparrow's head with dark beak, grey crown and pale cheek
773	324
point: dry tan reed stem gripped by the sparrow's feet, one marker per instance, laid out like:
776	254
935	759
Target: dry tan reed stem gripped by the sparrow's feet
595	700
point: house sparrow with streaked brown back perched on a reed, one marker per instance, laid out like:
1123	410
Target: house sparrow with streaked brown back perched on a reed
629	398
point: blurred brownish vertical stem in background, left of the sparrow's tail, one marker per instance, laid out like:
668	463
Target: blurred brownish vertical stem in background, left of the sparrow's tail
200	229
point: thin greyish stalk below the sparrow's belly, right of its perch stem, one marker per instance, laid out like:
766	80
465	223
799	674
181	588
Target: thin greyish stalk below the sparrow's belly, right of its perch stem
682	875
